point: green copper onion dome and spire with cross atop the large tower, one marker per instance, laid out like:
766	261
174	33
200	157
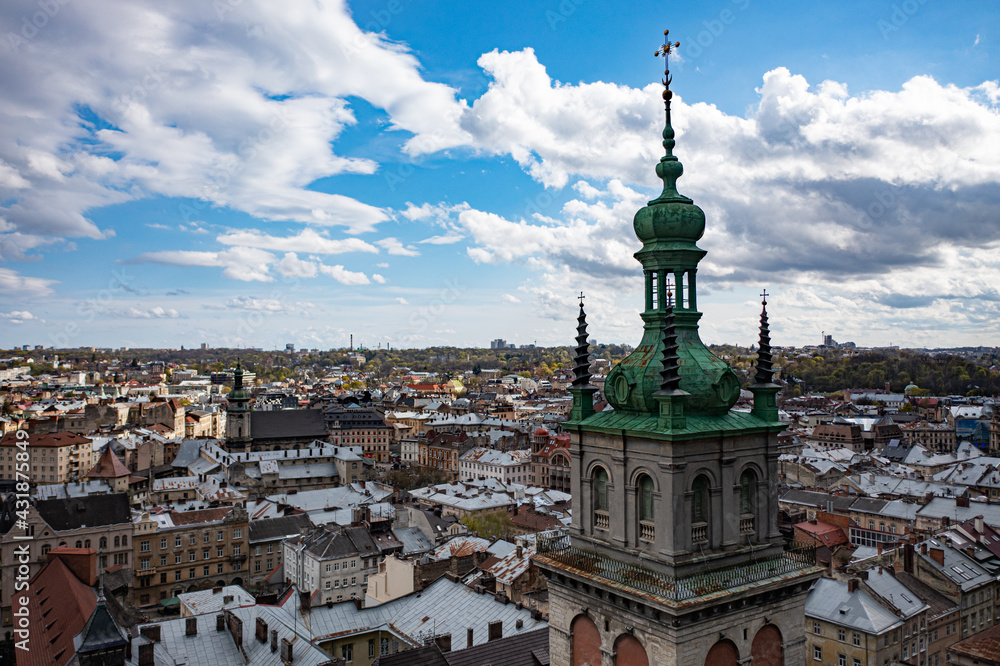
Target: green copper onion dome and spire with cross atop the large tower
669	228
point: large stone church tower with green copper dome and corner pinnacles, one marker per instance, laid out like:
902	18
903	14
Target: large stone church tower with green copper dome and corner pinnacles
674	555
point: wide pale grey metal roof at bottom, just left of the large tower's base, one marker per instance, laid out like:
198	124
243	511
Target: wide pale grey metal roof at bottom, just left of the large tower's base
441	608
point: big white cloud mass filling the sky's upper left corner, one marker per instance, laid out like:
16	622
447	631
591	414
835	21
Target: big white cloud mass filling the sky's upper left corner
235	111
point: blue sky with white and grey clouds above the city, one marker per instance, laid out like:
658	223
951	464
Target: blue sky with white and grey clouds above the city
255	173
